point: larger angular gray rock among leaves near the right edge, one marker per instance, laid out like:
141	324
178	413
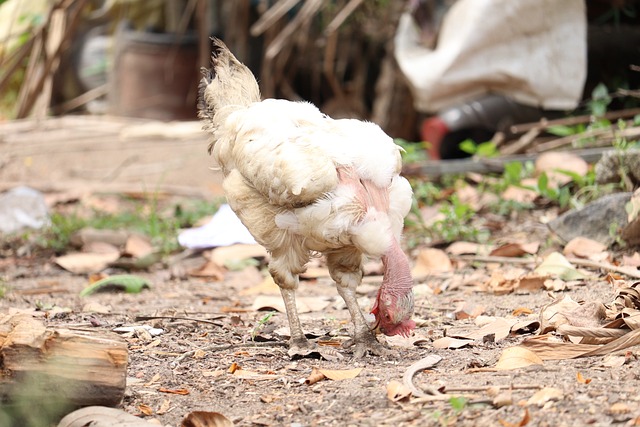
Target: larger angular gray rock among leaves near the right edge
594	220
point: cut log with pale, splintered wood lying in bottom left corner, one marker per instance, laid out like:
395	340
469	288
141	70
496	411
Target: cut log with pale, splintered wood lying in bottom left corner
77	368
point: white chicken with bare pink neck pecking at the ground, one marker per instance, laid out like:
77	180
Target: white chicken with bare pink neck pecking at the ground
303	183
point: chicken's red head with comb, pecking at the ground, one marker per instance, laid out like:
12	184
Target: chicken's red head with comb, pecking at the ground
393	313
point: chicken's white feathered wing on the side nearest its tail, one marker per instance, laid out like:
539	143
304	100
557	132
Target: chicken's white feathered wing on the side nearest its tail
277	146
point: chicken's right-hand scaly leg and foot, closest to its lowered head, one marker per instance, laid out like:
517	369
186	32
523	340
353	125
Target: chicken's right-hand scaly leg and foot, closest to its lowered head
346	270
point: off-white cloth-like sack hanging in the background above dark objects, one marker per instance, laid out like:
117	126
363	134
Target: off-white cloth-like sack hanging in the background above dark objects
533	51
